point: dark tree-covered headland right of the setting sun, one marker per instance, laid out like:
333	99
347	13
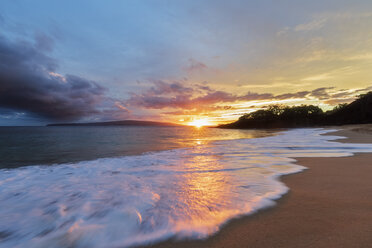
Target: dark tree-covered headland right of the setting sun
281	116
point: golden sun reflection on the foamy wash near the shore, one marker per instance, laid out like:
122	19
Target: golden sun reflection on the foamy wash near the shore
205	192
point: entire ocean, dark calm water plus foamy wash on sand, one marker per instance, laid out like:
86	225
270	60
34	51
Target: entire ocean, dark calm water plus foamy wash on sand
125	186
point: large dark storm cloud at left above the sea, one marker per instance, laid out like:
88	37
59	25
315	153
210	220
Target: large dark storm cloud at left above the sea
29	83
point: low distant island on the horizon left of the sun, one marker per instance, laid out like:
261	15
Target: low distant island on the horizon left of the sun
118	123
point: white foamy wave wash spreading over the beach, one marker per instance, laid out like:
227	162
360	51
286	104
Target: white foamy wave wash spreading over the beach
119	202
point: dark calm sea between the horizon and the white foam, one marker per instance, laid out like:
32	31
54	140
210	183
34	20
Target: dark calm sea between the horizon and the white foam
22	146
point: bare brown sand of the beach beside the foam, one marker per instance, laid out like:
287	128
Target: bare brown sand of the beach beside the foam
329	205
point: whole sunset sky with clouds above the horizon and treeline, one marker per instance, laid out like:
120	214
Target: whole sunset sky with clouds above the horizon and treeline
178	61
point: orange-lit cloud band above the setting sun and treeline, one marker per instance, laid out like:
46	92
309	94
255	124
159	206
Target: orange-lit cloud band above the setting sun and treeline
196	100
